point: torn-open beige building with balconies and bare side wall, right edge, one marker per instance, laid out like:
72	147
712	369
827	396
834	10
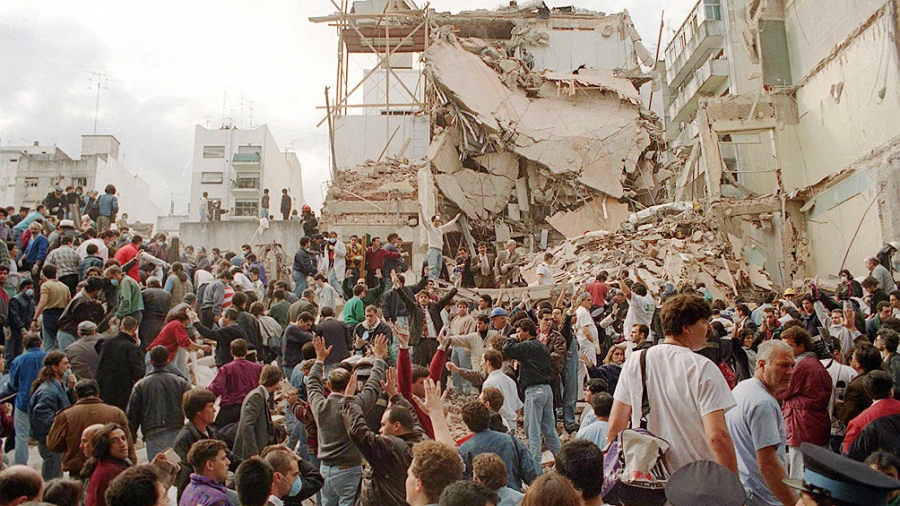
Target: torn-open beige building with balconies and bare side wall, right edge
800	128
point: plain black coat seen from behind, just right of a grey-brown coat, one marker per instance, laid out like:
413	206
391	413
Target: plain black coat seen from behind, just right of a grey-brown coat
119	366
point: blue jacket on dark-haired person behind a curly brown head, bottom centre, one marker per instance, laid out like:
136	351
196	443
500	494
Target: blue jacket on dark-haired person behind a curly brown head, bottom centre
520	464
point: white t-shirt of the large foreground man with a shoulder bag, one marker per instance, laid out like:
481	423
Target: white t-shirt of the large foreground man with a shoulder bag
683	387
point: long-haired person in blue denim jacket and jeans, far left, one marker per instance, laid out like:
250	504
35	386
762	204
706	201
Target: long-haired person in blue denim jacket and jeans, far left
48	396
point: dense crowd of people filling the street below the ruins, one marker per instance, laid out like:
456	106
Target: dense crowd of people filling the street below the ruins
334	384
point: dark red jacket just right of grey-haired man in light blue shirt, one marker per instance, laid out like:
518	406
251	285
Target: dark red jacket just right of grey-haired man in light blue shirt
805	404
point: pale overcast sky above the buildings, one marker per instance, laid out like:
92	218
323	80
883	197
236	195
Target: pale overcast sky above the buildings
172	64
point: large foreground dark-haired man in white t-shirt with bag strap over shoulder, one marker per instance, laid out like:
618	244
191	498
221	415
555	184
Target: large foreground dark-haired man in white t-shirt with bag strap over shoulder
687	392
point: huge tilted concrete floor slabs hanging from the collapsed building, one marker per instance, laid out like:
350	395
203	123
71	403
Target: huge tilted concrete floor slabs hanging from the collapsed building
515	148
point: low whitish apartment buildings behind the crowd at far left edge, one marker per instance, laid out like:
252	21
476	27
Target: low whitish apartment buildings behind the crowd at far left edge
28	173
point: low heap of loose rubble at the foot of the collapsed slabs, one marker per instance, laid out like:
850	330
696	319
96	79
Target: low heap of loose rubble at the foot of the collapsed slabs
676	243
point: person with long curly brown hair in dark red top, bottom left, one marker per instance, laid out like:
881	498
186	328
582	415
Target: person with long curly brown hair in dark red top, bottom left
109	457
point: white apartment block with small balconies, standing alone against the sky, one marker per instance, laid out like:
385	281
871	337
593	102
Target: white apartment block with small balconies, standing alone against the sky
235	166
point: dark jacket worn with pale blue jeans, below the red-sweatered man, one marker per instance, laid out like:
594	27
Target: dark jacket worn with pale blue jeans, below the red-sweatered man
156	402
